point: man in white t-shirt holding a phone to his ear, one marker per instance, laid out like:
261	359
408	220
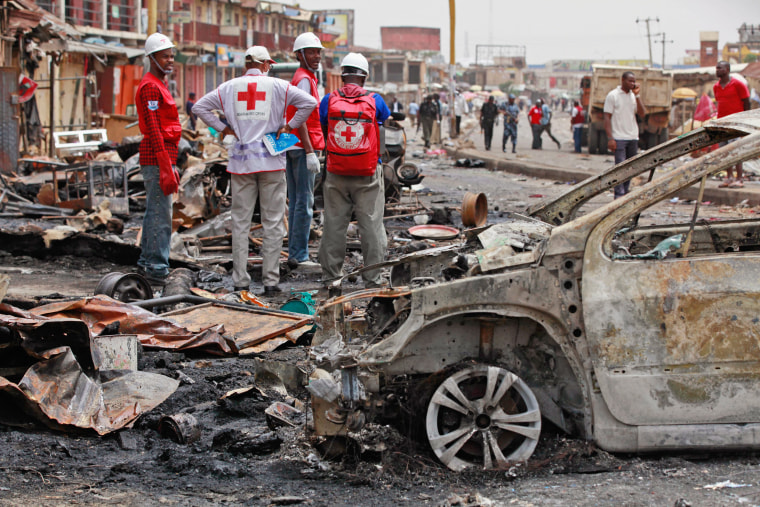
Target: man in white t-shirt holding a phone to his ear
620	109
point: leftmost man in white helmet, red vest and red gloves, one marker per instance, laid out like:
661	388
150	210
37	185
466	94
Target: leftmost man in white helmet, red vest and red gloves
161	130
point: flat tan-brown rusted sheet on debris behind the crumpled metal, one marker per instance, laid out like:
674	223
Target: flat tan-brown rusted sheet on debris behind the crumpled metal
248	327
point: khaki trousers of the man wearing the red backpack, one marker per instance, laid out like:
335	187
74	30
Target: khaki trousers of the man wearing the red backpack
365	197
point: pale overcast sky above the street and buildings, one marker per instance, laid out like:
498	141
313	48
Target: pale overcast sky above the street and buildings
556	29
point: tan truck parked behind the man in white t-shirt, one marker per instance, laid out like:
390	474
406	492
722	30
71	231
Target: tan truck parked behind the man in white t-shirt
656	87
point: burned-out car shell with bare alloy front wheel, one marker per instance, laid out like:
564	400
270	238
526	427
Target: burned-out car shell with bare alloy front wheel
637	336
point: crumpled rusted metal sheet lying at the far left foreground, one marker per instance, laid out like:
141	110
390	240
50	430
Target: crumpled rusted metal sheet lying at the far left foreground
62	388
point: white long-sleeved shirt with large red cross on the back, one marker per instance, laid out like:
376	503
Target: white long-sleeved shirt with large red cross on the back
254	105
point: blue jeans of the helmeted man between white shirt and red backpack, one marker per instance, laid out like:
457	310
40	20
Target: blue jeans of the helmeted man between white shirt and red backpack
300	204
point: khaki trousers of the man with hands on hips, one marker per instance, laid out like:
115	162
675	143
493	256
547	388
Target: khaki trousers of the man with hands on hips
270	189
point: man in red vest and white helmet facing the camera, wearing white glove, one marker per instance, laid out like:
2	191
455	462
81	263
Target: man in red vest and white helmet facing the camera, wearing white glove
302	161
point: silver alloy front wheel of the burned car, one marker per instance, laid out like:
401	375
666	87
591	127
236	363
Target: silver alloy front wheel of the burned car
482	417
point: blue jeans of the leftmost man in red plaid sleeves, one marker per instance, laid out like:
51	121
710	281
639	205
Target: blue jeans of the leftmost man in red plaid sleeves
157	225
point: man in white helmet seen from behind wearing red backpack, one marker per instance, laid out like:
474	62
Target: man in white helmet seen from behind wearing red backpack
351	119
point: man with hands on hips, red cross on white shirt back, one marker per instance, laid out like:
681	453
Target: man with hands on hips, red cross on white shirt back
254	105
